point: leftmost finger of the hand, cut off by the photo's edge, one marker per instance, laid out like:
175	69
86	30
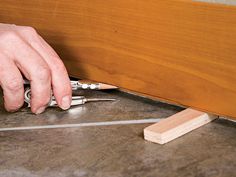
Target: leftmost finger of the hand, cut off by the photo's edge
11	83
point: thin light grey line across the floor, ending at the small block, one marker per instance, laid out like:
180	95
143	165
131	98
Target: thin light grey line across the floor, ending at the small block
90	124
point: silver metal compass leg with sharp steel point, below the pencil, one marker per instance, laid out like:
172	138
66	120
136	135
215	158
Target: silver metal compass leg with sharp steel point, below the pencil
76	100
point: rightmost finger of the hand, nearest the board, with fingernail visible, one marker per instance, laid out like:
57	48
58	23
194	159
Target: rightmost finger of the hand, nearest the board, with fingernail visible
60	79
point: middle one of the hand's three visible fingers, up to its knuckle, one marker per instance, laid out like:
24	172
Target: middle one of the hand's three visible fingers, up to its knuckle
33	67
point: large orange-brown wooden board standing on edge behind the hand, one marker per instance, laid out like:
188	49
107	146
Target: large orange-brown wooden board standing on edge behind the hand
180	51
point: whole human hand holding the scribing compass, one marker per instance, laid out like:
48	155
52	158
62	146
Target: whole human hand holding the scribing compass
23	51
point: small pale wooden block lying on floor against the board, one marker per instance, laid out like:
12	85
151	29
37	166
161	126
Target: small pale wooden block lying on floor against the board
177	125
